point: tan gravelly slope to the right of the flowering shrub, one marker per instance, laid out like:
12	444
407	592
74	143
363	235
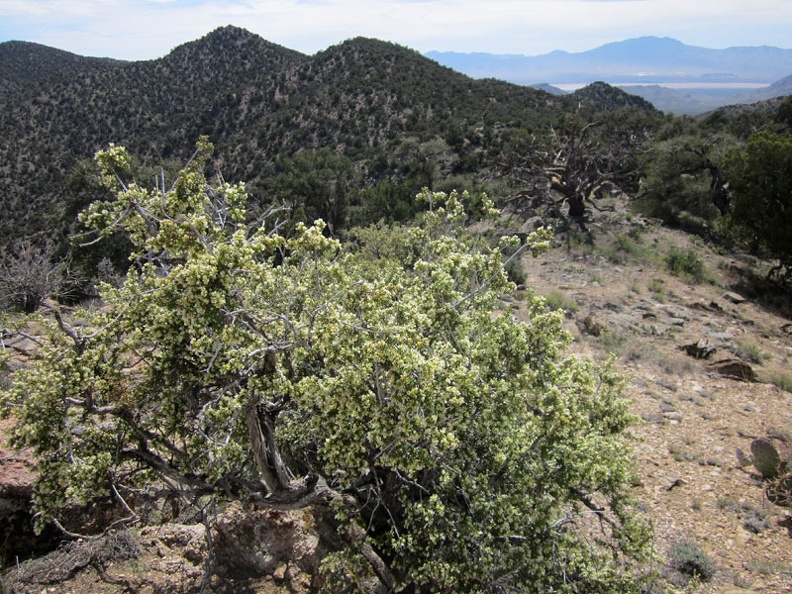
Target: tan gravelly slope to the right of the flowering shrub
692	446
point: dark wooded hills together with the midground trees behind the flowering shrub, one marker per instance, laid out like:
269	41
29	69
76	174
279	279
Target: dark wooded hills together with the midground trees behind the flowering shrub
348	135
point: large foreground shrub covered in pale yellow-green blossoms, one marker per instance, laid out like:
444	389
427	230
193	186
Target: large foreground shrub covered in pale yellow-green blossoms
457	448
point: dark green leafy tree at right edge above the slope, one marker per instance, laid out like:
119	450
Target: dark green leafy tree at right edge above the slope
760	175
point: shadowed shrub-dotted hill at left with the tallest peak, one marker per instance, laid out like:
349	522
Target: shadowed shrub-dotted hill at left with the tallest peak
153	107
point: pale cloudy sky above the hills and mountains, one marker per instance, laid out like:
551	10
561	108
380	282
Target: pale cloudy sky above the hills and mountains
148	29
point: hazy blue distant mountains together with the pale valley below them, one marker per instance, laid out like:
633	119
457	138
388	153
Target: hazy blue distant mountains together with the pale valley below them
674	76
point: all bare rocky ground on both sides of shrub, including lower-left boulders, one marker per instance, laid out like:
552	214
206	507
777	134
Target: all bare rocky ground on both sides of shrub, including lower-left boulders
692	446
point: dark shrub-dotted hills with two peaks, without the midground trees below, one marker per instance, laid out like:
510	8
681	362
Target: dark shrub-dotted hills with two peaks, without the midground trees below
383	106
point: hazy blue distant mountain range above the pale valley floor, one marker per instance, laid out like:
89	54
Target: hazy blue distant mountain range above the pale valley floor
644	59
